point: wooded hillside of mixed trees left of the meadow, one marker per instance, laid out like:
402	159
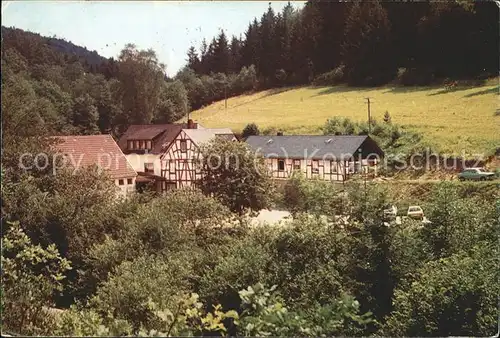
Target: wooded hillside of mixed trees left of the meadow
50	86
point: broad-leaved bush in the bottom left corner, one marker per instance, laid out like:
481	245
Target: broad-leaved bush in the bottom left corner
31	275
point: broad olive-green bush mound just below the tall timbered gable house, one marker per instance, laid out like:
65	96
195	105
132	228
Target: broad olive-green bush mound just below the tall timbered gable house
180	221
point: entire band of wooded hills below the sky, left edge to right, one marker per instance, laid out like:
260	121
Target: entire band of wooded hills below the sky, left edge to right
324	43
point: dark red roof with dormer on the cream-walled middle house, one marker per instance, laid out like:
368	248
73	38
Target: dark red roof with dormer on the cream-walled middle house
160	134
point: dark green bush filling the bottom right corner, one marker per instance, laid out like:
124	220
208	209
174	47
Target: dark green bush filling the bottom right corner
455	296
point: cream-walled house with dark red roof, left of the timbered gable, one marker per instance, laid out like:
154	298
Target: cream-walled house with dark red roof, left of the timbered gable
143	145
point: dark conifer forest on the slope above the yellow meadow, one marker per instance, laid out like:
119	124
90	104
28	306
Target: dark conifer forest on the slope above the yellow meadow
360	43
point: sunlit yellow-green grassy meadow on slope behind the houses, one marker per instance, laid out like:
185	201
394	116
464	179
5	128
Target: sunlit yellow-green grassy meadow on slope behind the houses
464	119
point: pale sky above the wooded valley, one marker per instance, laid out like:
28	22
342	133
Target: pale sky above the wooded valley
168	27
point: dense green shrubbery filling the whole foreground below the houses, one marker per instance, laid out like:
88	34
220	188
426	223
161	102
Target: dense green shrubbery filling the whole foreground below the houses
142	271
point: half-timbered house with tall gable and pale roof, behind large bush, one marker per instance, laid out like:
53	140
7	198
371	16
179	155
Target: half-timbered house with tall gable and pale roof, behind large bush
180	159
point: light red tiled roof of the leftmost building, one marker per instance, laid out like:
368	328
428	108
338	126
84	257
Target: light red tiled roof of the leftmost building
101	150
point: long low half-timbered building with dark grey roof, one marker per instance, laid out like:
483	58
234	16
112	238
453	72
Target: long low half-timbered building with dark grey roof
334	158
